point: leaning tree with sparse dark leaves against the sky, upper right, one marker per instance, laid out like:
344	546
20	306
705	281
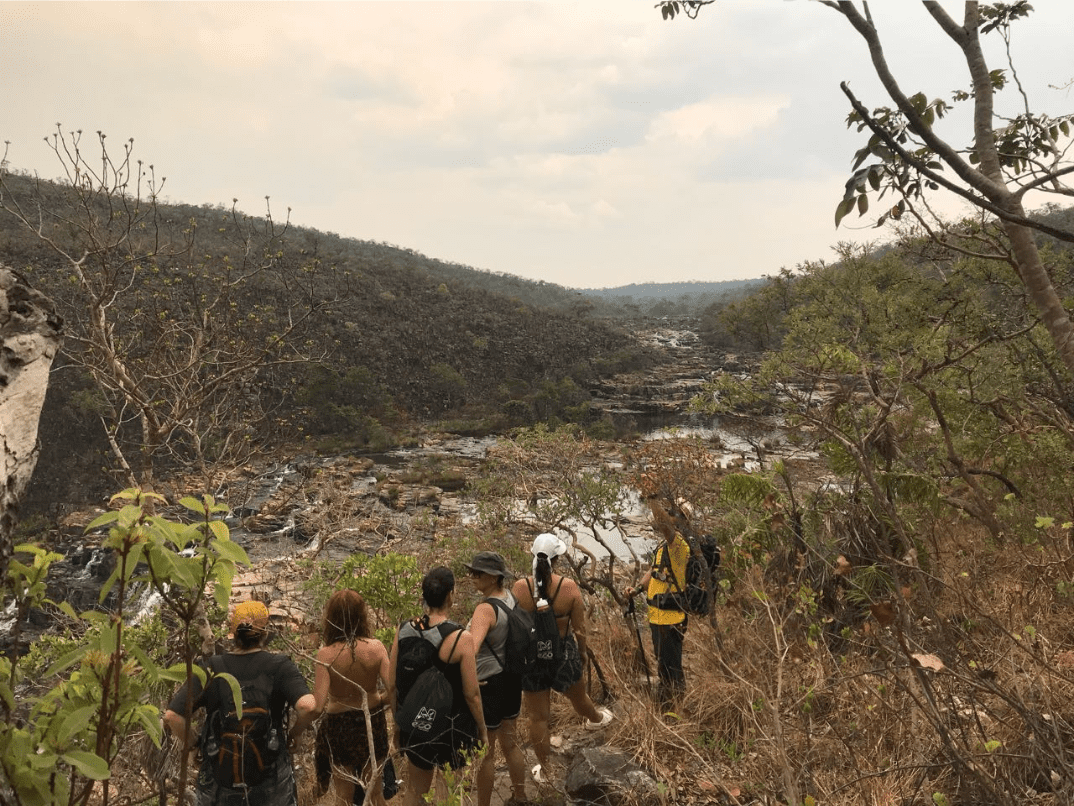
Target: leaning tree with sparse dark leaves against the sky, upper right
1007	159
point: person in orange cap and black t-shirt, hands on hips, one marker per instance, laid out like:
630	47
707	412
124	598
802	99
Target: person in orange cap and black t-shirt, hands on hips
271	684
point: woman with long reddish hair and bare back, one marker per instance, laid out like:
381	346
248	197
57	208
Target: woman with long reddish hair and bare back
350	666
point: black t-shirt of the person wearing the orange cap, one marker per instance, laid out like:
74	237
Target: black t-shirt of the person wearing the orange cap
288	684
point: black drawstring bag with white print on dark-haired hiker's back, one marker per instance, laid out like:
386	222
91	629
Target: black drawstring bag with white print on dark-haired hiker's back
425	693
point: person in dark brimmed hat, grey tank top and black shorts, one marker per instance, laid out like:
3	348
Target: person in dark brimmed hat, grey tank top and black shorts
501	689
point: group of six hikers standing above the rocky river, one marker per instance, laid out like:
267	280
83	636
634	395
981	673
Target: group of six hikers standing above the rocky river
453	689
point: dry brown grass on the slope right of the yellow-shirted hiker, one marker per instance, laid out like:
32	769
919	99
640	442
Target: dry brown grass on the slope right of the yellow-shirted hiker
966	696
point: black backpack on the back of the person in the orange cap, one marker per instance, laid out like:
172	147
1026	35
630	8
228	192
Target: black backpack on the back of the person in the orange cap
242	751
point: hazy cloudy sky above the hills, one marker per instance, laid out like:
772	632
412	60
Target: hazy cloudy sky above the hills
587	143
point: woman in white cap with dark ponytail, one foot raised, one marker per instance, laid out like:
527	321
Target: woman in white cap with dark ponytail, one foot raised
547	591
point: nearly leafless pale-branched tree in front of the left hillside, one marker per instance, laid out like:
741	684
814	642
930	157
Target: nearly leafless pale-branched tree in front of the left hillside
172	327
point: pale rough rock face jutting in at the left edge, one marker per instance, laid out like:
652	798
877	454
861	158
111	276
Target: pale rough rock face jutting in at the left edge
30	339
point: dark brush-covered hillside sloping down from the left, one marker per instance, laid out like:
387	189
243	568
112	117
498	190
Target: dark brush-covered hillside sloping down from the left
229	325
